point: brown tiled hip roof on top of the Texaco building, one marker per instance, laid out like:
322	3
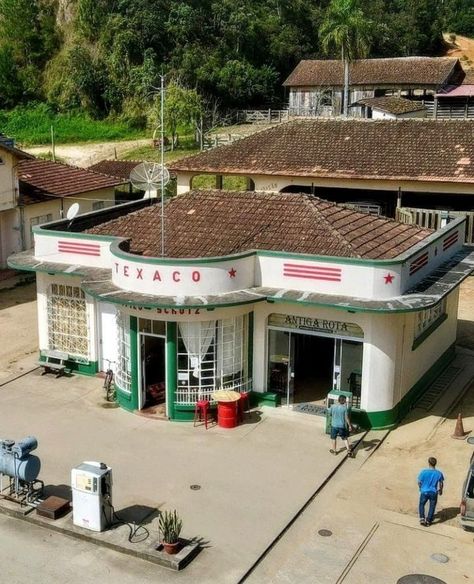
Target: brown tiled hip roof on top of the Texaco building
215	223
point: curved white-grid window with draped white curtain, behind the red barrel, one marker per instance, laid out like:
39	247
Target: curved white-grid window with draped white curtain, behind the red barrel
212	355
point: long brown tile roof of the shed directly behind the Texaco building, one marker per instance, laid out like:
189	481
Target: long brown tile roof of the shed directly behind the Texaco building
412	149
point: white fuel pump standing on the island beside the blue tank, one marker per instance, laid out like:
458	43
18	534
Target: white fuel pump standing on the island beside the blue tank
91	484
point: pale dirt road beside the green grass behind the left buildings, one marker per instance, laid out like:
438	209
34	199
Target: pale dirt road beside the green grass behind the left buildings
86	154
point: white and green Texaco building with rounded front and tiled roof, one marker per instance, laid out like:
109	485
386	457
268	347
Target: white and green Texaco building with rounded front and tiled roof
286	295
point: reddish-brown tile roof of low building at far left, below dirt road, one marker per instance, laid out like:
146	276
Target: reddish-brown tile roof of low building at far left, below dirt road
43	179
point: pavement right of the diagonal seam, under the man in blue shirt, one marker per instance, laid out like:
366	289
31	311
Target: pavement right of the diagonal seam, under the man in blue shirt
370	508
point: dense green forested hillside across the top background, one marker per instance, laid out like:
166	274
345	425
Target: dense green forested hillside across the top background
104	56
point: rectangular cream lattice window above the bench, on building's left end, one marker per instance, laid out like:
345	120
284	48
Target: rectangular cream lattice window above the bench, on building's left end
68	329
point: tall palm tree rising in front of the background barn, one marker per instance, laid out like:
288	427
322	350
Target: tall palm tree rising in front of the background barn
346	29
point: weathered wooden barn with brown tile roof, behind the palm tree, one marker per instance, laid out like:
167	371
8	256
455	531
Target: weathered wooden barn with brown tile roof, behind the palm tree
316	86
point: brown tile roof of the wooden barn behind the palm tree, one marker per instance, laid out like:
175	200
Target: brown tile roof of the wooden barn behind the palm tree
434	71
